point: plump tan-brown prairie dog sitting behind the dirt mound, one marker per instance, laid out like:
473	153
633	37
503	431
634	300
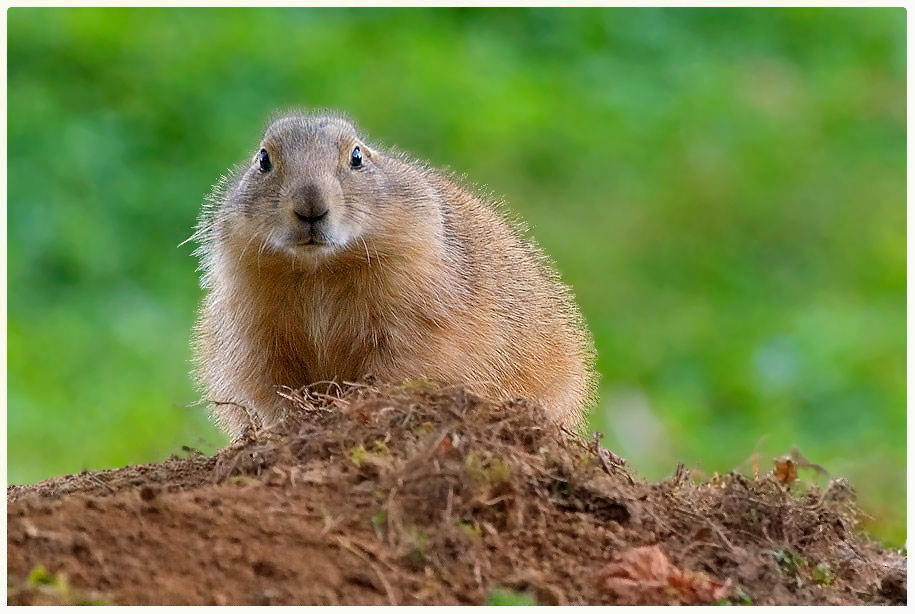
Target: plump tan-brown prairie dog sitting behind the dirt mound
326	258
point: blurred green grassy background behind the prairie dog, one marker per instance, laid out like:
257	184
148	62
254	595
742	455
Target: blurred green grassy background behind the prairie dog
724	189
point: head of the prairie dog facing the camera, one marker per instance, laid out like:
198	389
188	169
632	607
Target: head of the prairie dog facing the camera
311	190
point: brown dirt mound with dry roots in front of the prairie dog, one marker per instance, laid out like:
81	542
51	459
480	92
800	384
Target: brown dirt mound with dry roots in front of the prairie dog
420	494
